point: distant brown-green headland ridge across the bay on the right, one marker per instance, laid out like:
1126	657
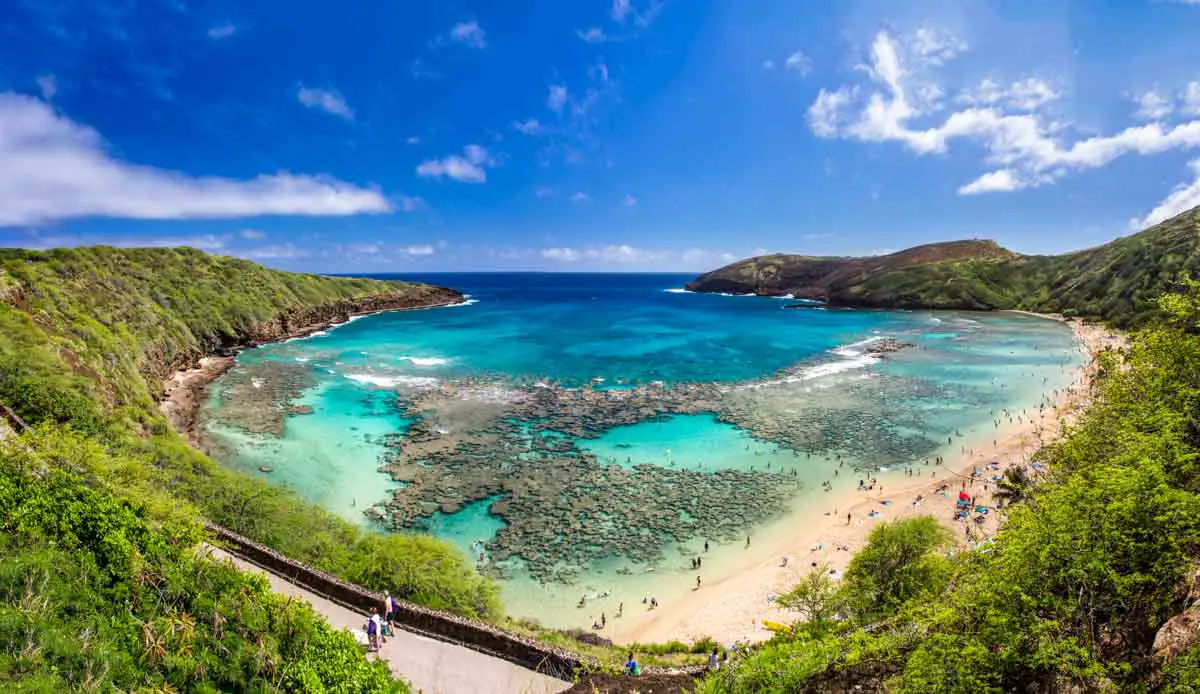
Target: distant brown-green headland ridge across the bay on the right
1118	282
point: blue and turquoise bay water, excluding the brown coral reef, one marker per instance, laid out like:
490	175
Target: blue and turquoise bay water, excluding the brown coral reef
781	368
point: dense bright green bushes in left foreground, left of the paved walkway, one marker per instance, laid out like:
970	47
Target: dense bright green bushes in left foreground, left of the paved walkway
95	596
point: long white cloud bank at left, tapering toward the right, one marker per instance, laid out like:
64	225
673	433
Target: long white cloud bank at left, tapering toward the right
58	170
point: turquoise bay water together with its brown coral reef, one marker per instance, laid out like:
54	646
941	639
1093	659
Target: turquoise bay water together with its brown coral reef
794	396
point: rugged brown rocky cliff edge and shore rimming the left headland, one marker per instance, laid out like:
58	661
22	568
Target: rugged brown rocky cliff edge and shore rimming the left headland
188	382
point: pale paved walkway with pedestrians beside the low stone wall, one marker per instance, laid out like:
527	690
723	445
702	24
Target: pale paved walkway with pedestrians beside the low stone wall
433	667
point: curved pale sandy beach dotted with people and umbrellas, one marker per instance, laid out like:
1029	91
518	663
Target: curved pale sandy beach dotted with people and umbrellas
735	608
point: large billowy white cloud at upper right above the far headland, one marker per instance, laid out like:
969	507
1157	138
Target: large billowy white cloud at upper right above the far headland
1027	149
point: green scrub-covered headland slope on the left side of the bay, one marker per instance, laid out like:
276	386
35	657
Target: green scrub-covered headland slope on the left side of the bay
128	319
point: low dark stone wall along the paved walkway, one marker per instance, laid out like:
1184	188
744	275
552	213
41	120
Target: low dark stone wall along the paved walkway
442	626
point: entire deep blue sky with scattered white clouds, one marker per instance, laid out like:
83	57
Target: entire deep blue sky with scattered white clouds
592	135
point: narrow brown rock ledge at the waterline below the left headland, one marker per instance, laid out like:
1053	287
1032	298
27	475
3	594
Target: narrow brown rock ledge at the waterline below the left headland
184	392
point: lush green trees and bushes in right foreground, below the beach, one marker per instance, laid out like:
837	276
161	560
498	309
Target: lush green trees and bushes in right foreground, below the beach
1089	566
